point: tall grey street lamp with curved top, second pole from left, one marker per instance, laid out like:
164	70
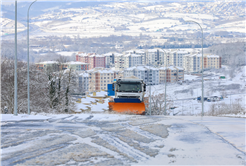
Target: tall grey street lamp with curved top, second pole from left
28	91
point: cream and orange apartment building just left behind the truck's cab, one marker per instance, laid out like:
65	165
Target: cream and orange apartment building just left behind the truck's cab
99	78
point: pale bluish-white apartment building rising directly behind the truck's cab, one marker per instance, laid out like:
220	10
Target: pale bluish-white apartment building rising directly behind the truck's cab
150	75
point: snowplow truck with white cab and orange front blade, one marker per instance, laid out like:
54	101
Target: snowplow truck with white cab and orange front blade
129	96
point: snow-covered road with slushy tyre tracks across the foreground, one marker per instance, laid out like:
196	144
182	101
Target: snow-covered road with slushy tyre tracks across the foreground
111	139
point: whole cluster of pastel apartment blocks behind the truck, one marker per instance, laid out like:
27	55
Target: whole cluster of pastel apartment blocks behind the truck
154	66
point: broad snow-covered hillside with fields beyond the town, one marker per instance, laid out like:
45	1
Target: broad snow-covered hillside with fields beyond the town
134	18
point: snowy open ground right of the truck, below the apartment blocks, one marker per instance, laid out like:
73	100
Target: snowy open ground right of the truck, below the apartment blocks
184	97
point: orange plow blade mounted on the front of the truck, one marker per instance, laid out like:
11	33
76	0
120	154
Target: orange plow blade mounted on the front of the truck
128	108
